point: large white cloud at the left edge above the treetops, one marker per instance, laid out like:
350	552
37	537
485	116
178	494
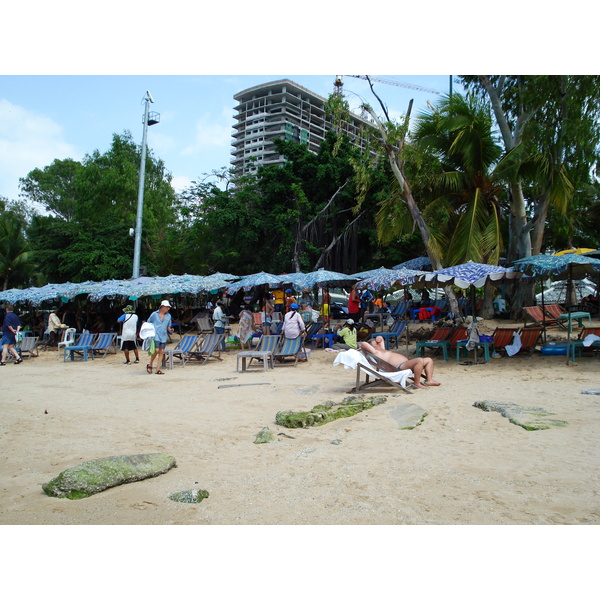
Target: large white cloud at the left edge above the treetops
28	140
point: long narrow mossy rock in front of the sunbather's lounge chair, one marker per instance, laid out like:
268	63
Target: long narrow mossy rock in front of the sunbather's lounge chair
327	412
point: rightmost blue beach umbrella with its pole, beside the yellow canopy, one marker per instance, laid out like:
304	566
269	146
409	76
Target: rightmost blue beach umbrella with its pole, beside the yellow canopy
568	266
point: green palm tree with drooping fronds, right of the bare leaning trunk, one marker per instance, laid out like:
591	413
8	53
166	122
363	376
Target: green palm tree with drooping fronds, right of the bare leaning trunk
467	188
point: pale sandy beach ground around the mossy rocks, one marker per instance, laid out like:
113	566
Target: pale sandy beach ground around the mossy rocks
460	466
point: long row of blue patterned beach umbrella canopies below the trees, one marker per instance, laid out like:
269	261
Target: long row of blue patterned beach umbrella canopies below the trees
563	266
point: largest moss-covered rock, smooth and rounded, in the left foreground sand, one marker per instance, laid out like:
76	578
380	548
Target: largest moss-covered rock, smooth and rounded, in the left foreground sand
94	476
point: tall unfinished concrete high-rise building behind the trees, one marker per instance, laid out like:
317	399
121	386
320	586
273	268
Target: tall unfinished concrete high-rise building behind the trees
280	109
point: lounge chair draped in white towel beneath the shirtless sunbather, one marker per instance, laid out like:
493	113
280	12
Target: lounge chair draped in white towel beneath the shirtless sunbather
377	373
